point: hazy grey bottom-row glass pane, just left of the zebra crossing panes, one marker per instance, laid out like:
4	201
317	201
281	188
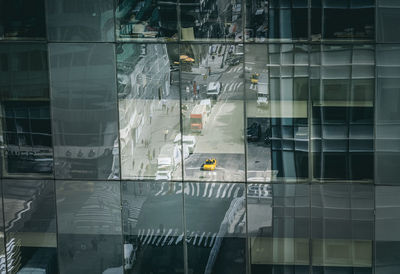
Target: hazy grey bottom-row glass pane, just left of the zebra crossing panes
89	227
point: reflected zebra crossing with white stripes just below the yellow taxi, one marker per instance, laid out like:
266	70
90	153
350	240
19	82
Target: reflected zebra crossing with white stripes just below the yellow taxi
201	190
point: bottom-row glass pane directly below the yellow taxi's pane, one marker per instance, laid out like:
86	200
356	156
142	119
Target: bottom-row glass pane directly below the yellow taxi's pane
215	216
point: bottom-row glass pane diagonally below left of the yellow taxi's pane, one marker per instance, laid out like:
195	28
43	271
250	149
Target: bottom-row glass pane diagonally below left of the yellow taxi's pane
152	226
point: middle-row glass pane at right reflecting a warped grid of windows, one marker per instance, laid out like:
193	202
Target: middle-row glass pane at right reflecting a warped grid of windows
342	88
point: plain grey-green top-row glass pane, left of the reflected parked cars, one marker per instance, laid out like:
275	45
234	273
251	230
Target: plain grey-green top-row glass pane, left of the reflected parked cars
80	21
